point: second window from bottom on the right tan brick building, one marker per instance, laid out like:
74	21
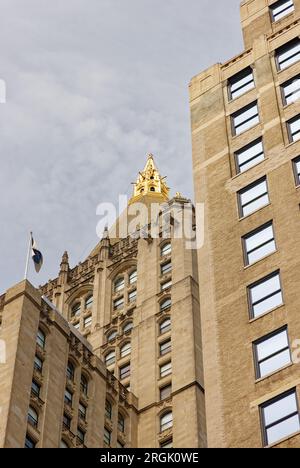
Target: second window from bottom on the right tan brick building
272	352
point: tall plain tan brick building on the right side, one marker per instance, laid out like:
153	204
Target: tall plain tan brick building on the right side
245	117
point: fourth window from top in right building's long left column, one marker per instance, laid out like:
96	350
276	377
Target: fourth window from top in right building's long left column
253	197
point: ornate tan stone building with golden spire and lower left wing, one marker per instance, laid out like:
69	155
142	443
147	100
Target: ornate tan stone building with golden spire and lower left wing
114	360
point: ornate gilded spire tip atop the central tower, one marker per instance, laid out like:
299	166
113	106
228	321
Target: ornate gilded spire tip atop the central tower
150	183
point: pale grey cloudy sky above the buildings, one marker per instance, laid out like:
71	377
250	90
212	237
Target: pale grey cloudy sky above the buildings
92	87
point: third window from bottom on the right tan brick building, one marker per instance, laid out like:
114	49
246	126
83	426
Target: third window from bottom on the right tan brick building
265	295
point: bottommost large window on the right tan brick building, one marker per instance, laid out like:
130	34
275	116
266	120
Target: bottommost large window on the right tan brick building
280	417
